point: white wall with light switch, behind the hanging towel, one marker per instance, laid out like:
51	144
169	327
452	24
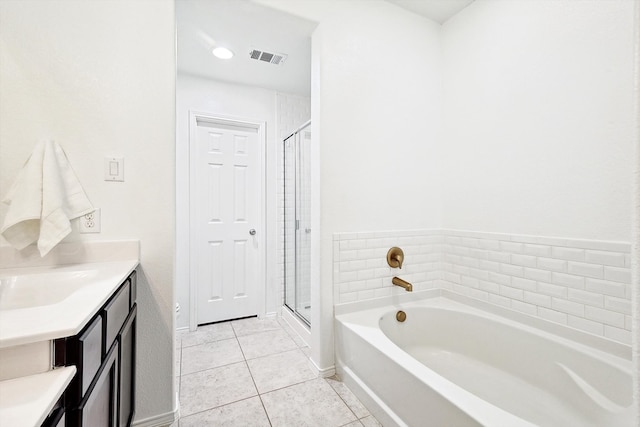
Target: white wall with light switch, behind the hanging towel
98	77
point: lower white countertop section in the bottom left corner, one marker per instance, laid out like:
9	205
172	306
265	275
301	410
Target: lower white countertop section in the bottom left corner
27	401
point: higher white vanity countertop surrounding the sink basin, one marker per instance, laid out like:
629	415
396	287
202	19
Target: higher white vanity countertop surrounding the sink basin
58	317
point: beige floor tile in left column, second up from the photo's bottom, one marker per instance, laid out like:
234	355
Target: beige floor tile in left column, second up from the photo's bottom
215	387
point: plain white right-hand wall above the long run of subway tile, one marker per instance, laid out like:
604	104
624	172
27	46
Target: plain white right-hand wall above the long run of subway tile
538	113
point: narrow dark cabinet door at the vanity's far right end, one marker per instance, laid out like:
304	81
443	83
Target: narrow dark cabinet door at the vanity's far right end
127	368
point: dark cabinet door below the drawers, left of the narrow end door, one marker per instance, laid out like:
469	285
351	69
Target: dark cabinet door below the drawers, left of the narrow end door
98	408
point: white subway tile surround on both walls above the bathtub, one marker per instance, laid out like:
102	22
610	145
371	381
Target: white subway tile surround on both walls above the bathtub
584	284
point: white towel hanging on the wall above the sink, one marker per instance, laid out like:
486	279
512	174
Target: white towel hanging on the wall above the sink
42	200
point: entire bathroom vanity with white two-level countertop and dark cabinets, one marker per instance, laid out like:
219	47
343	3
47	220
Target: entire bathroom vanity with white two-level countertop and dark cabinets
68	344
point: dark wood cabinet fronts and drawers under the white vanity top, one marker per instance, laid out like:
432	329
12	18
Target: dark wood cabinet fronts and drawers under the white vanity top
102	394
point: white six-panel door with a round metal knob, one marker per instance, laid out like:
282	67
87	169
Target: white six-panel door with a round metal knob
228	210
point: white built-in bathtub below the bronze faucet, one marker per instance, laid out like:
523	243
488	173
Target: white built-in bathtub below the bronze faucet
460	362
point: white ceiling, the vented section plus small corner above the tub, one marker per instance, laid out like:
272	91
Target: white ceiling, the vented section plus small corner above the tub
242	25
